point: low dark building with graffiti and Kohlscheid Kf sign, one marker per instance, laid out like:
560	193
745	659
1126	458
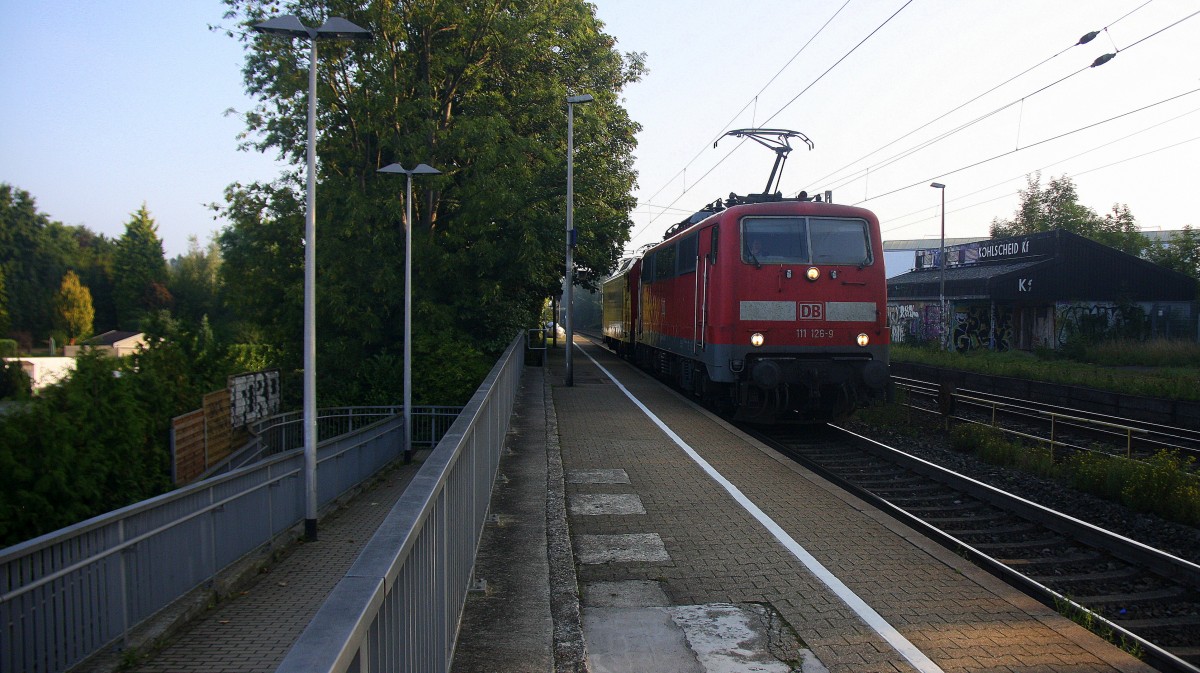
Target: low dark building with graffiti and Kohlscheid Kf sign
1037	291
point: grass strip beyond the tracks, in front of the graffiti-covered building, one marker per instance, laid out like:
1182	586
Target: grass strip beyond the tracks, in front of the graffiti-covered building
1167	370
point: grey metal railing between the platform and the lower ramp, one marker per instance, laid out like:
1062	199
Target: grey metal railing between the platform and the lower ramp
399	606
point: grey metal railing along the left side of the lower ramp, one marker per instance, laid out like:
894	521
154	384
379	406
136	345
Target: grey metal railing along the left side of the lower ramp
71	593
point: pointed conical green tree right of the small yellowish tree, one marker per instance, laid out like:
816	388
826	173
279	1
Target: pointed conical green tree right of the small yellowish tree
140	272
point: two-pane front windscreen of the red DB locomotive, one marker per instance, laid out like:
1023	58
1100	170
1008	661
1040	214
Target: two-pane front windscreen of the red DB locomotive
806	241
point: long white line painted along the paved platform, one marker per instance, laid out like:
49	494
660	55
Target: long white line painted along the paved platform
866	612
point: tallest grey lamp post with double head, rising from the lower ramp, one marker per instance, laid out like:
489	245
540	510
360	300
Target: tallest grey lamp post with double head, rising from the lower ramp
335	28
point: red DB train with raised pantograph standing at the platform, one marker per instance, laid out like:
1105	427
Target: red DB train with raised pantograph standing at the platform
767	309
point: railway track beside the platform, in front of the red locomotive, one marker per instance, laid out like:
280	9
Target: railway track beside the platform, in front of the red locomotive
1139	598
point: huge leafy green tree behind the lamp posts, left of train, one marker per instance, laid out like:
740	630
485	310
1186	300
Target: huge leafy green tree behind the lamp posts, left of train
476	89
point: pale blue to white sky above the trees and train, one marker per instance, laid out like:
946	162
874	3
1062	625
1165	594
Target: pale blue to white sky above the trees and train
110	106
